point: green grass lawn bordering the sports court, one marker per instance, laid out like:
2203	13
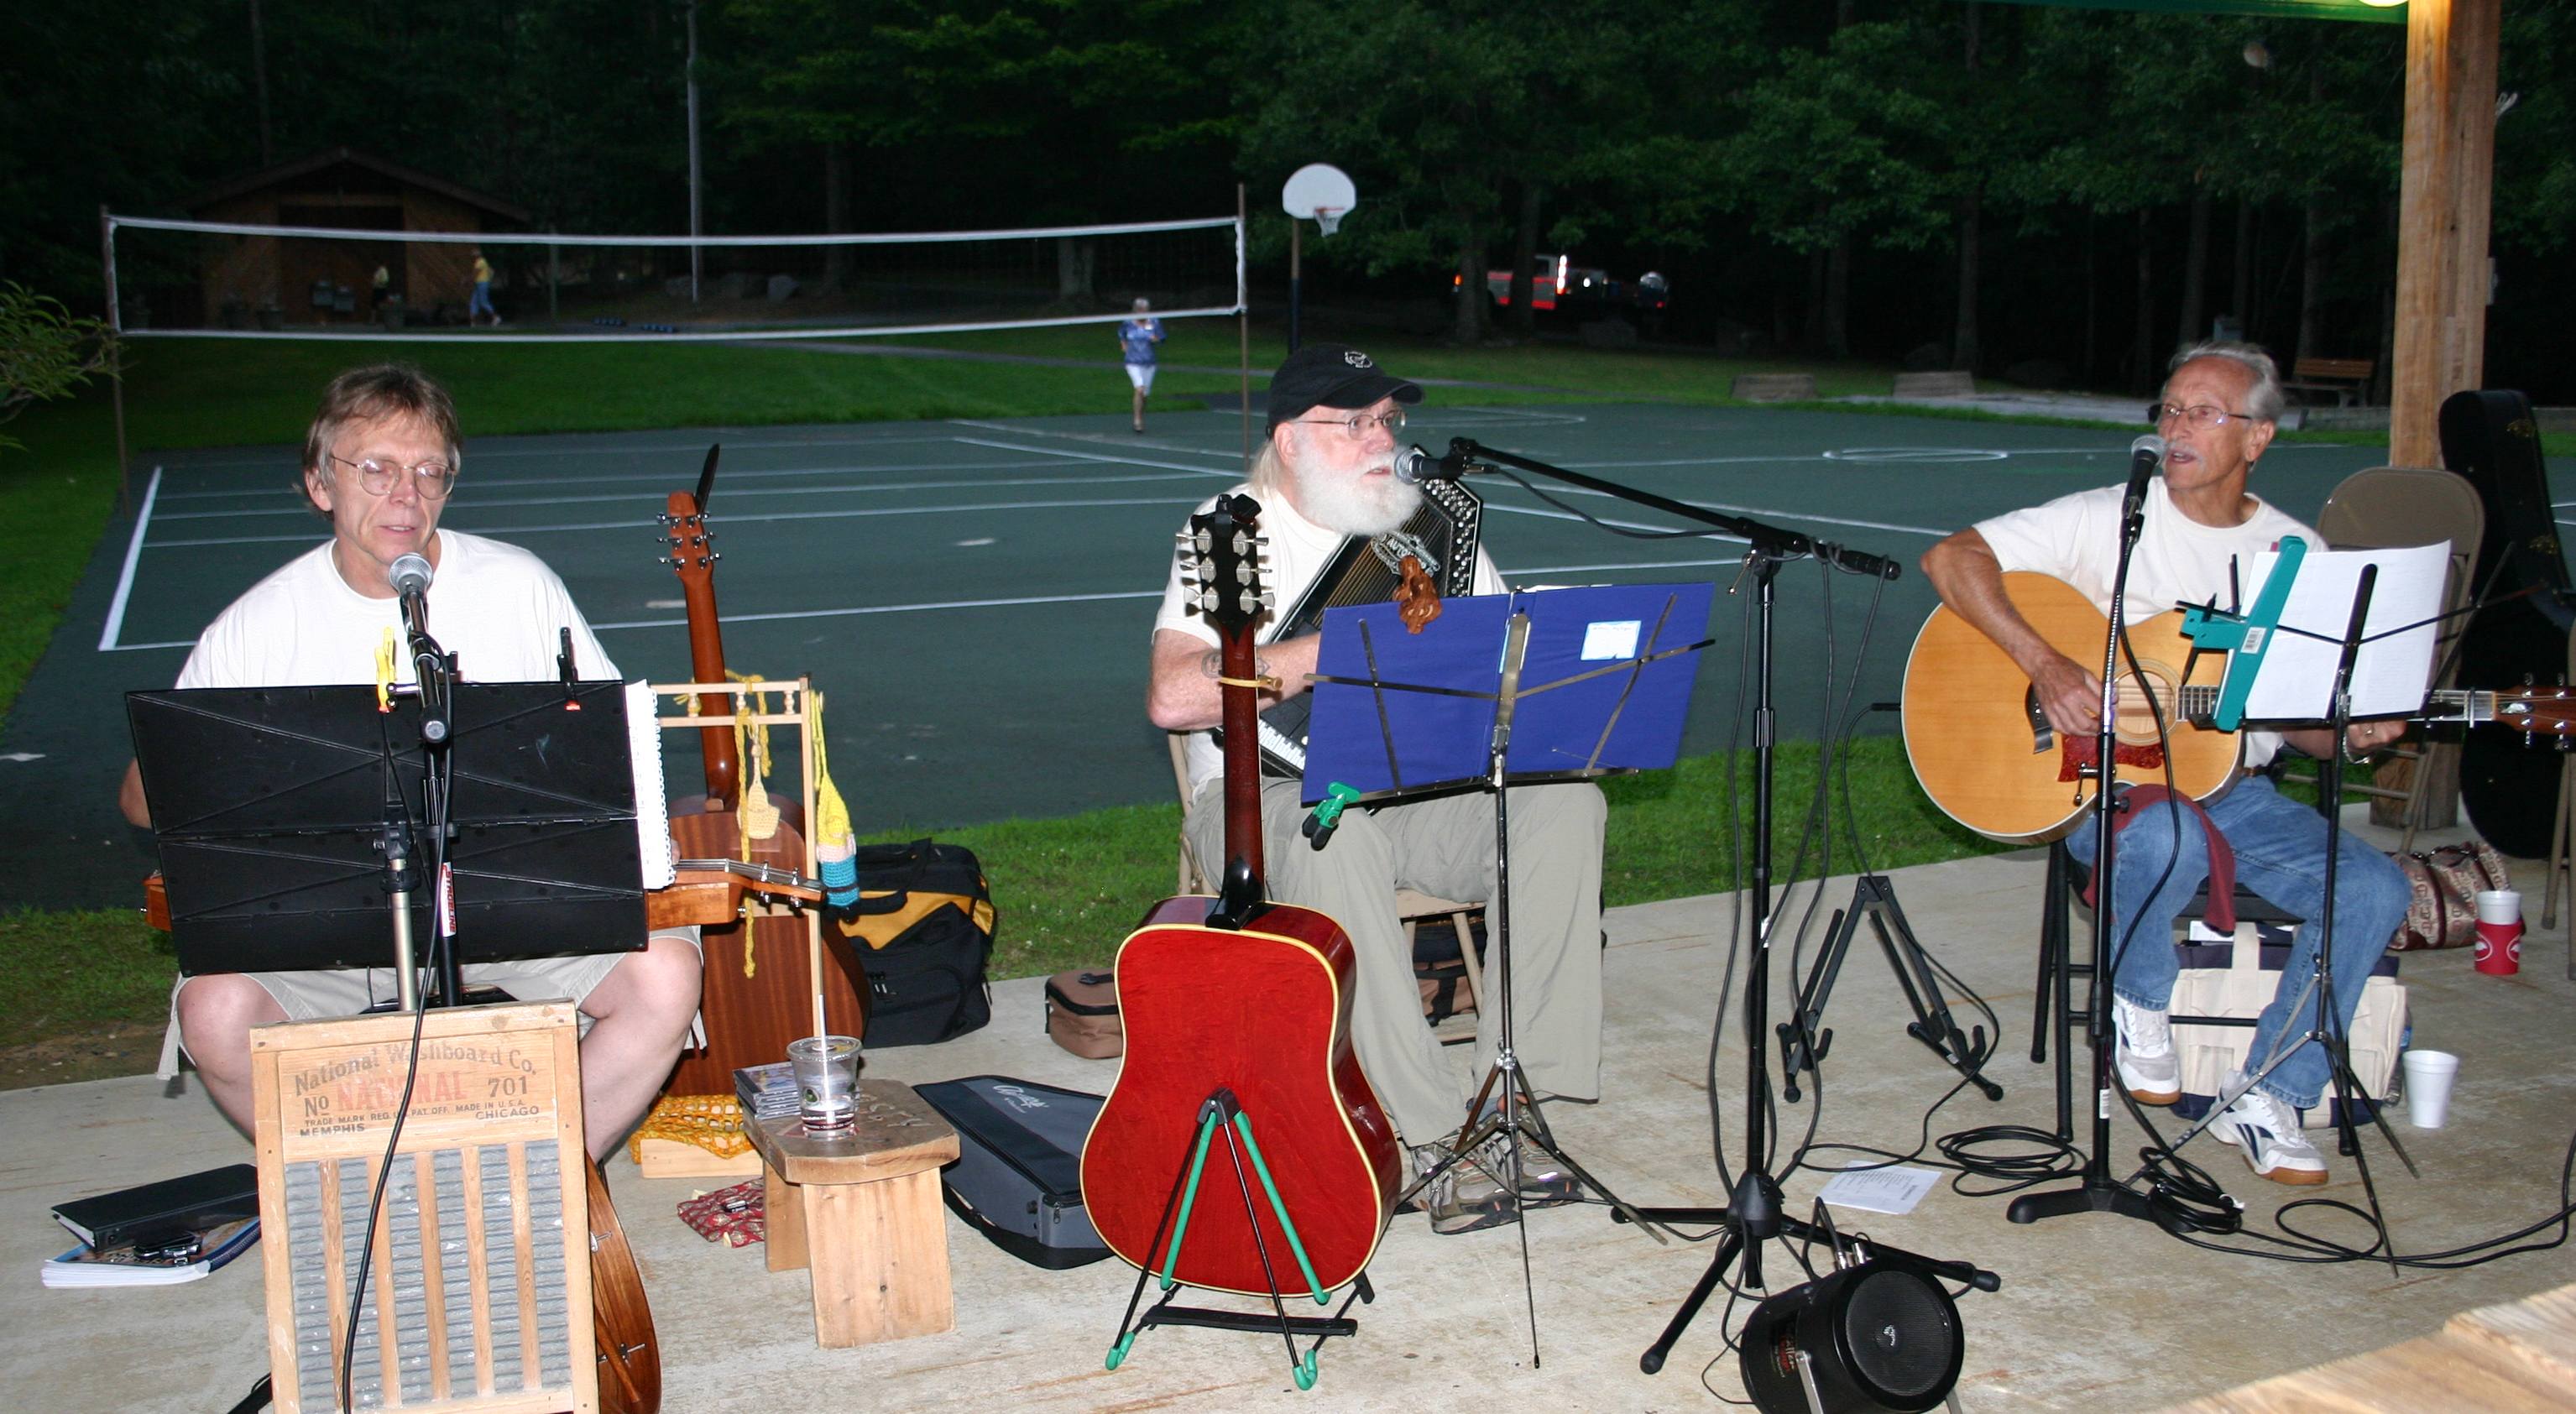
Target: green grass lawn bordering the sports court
1068	890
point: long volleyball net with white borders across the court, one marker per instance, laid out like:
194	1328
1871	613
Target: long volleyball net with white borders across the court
272	282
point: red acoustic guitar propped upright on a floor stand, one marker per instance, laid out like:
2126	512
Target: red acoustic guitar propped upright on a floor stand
1233	1006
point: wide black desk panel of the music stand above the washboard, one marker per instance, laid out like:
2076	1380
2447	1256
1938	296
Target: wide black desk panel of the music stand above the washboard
279	810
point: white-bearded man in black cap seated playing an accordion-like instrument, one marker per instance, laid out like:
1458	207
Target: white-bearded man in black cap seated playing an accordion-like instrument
1328	473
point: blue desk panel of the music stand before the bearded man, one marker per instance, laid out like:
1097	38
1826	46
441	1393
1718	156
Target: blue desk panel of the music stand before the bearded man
1604	686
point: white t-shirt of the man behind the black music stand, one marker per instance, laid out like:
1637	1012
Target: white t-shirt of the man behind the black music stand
496	607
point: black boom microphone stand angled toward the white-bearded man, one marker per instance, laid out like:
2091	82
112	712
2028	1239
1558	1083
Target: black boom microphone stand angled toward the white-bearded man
1753	1212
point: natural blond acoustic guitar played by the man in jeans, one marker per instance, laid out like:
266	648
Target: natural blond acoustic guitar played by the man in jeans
1985	753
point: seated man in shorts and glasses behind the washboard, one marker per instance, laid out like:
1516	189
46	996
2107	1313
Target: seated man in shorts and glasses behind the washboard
380	465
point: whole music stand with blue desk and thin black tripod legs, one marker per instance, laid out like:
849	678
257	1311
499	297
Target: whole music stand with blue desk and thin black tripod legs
1403	715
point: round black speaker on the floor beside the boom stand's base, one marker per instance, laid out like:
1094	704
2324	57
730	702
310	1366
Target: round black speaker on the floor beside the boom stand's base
1874	1338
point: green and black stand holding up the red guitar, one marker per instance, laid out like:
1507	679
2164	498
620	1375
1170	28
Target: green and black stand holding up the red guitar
1225	1114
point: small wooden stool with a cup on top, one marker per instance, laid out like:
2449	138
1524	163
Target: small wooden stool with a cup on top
864	1212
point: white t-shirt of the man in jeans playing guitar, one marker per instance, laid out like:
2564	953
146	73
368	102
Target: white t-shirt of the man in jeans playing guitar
2178	560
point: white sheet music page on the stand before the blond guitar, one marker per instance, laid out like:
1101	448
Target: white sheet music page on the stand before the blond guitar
2392	676
